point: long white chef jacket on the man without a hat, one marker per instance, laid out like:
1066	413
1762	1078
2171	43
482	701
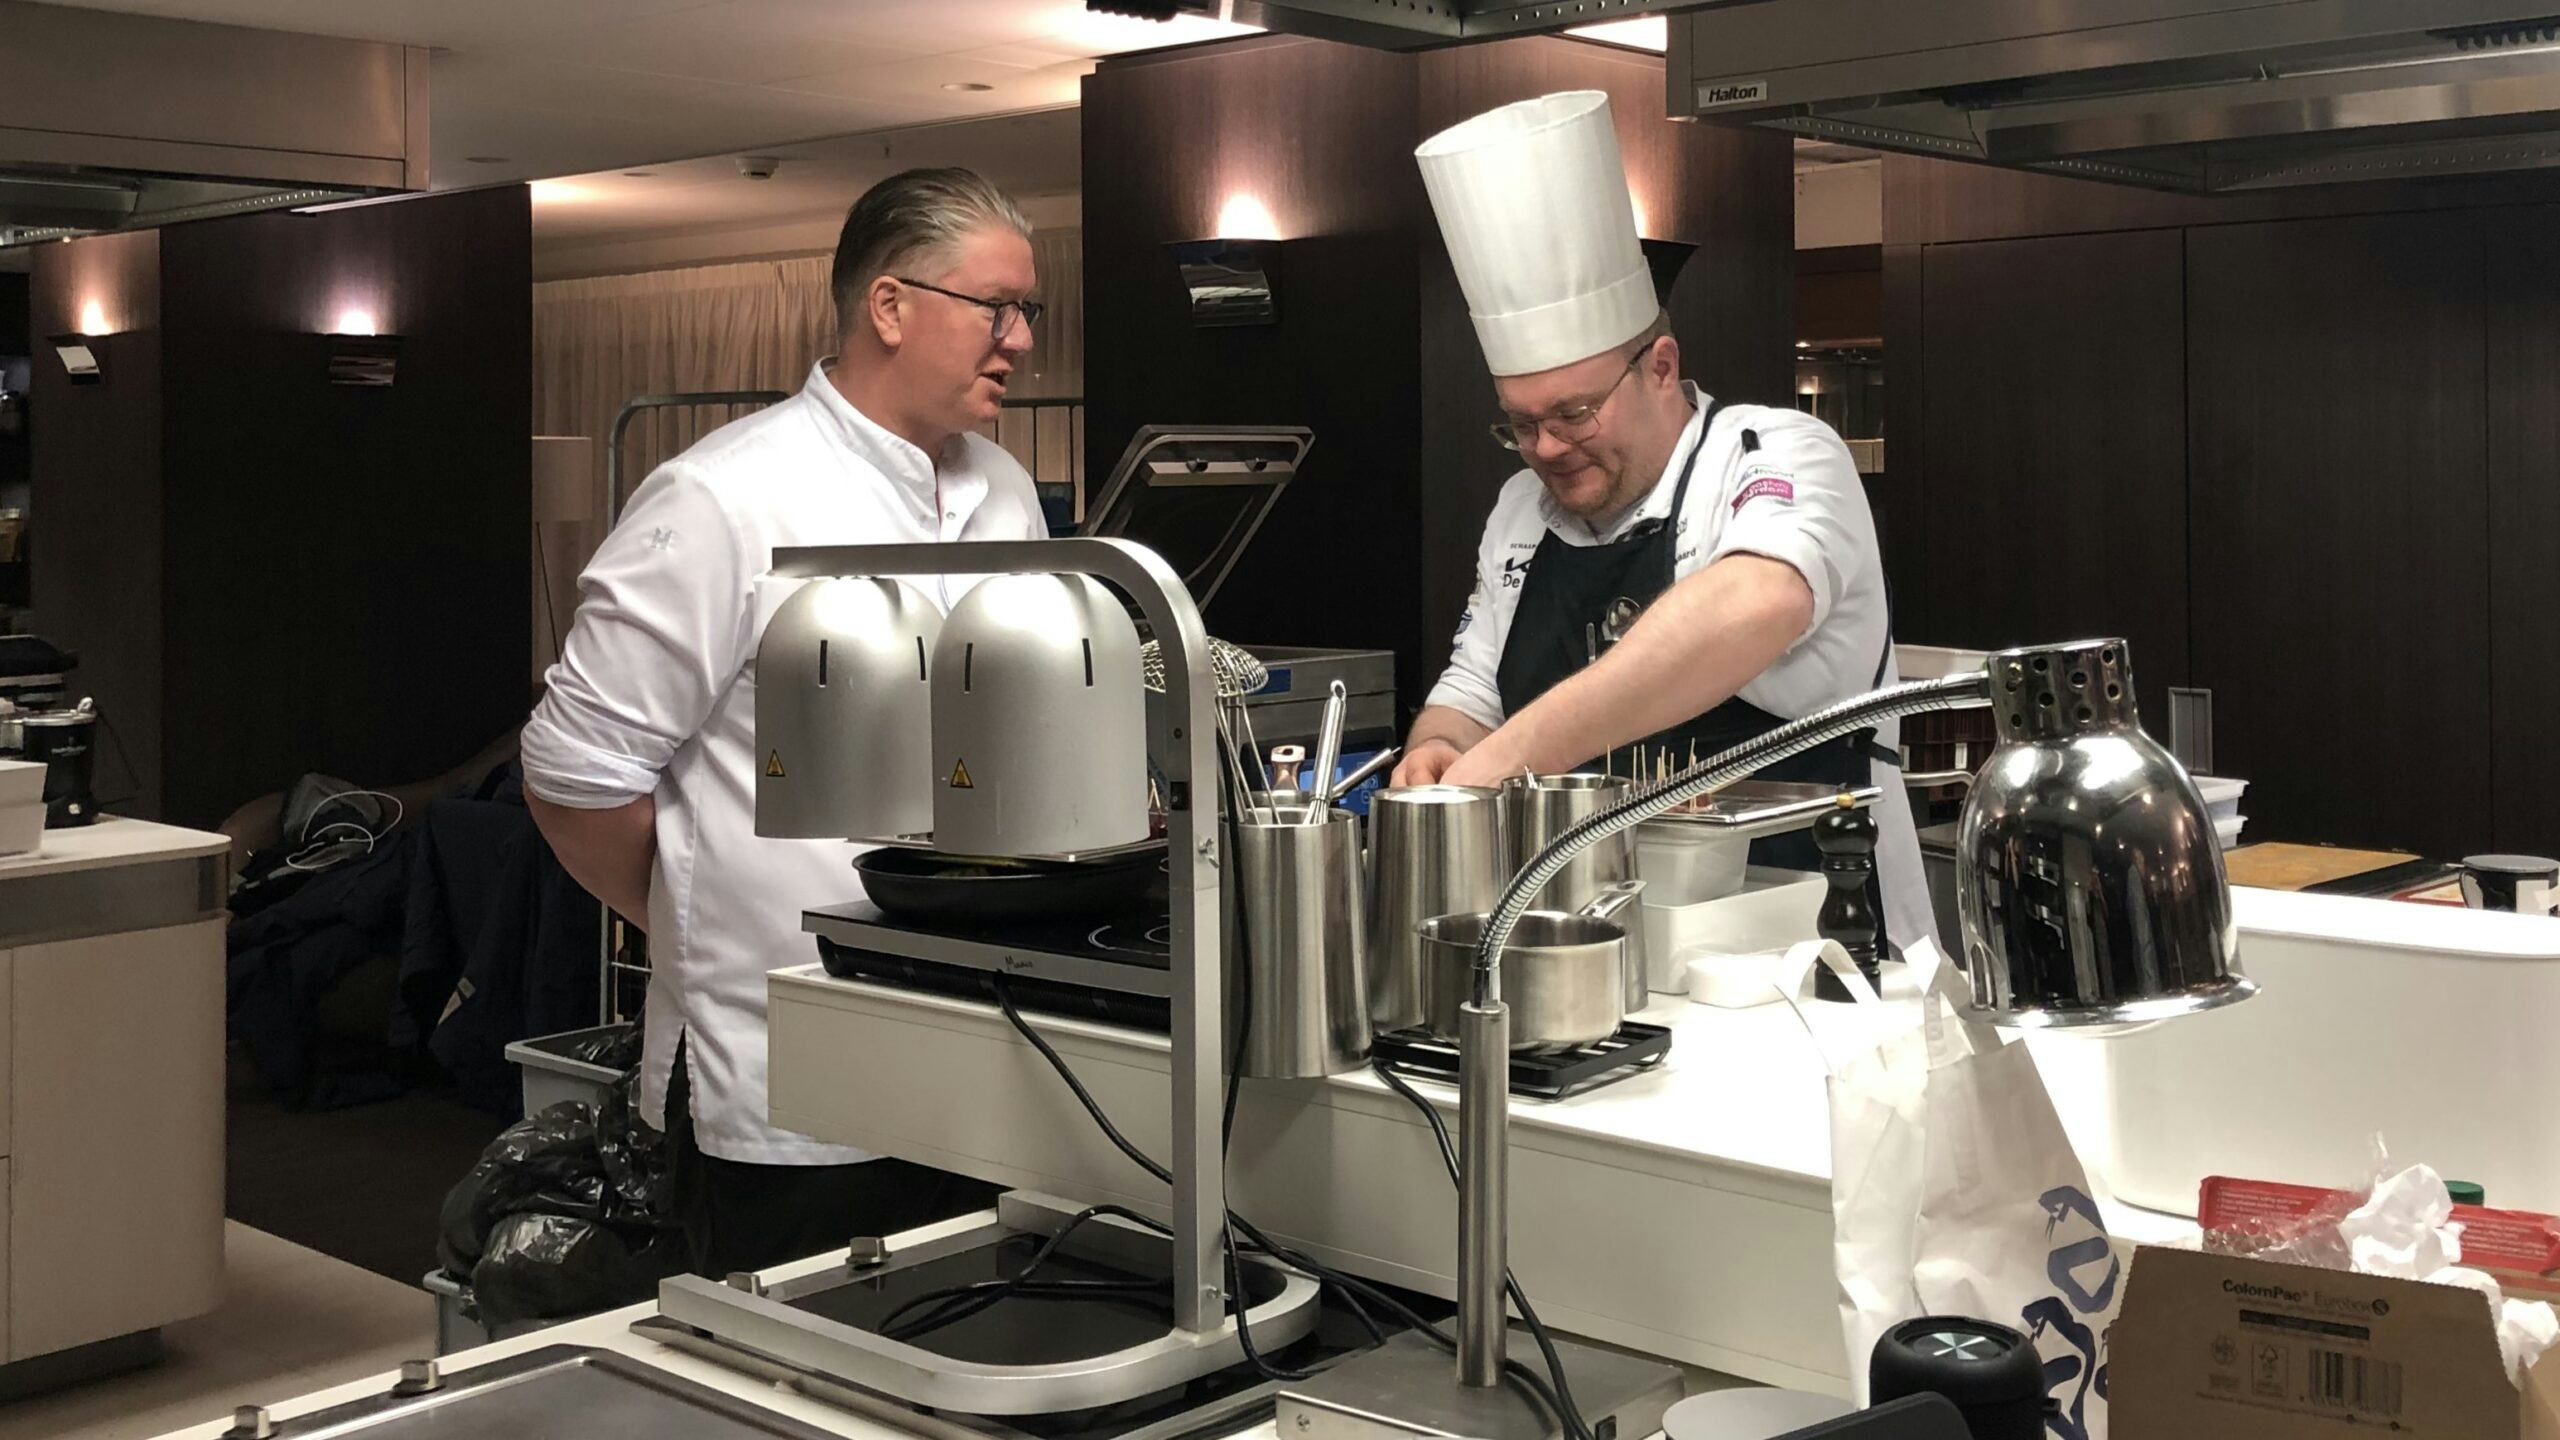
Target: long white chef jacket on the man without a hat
657	696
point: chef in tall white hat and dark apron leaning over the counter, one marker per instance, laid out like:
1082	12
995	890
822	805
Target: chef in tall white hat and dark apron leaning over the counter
1670	575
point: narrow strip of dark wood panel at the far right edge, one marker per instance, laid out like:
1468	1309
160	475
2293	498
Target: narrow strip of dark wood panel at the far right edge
2523	350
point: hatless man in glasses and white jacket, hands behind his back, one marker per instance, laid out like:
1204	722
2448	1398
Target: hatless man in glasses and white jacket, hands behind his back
641	752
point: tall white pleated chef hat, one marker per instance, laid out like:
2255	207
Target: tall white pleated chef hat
1532	201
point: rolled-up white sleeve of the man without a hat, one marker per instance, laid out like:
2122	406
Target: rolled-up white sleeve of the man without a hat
662	634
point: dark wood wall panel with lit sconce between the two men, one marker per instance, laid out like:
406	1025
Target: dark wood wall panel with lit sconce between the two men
1315	132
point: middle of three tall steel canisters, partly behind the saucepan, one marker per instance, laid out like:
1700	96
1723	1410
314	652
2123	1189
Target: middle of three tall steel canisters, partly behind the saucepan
1435	849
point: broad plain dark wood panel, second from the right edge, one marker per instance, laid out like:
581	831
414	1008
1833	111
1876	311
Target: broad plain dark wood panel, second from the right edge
2341	511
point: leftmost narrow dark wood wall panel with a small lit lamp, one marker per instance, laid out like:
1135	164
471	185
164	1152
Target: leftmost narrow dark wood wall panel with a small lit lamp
96	496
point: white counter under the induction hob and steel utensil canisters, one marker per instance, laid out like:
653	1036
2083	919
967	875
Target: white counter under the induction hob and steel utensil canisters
1683	1213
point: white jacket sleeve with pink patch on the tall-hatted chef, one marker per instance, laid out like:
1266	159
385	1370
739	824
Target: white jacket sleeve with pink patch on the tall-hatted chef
1798	501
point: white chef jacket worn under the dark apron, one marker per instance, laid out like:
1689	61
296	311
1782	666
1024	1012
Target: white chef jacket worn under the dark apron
1796	501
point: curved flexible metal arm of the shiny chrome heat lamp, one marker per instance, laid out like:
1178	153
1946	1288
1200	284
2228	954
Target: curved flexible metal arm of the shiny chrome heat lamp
1711	775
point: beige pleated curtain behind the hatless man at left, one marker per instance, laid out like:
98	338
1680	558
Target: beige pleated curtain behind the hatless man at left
739	327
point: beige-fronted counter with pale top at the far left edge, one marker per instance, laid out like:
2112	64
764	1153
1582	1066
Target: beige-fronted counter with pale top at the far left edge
111	1088
